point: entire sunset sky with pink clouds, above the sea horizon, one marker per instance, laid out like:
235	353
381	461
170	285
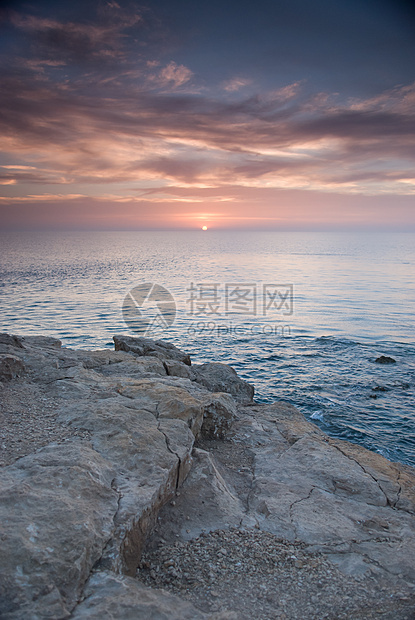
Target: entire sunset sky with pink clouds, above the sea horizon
265	114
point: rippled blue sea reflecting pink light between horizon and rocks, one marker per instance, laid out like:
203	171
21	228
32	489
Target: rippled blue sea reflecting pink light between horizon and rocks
302	316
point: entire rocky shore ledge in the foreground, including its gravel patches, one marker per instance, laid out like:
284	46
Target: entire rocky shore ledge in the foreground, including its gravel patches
137	485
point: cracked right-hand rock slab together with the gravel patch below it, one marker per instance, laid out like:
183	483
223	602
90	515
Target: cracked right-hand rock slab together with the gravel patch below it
281	521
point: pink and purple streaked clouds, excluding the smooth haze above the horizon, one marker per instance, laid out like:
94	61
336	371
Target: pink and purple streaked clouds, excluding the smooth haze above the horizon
150	124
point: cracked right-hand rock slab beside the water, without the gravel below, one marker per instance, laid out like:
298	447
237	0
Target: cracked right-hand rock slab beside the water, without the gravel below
282	475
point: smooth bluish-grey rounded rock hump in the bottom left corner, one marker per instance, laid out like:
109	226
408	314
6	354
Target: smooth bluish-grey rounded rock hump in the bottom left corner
57	509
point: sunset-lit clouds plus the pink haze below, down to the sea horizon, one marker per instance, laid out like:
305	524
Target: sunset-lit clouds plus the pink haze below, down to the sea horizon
148	138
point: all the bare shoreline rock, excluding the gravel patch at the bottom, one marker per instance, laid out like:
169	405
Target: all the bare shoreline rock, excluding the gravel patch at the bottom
75	515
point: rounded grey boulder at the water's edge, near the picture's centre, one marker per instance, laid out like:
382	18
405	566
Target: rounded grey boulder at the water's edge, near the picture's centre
222	378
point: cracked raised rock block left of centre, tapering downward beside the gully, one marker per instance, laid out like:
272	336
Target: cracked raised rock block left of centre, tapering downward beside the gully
150	457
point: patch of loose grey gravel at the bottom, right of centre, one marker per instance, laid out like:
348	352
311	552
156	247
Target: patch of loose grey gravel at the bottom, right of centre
259	576
